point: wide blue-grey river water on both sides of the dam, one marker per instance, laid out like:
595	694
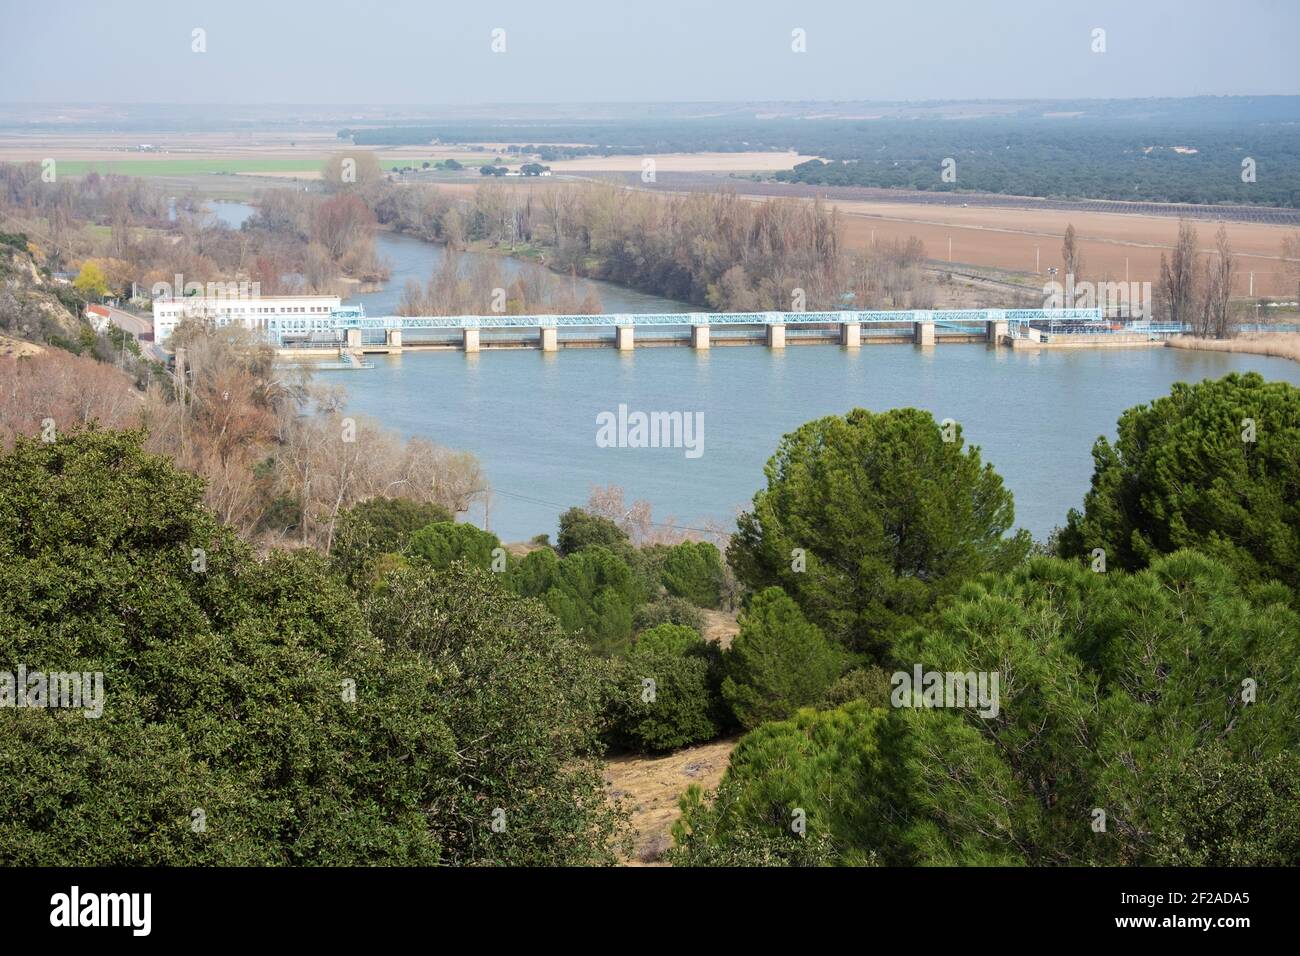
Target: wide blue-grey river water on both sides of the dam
531	417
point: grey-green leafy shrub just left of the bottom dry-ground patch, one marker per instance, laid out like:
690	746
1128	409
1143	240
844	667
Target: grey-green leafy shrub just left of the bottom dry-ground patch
522	702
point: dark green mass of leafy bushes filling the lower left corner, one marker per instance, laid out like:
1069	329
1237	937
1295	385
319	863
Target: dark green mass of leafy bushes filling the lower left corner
252	713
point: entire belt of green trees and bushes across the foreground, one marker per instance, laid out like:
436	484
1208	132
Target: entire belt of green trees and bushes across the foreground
305	723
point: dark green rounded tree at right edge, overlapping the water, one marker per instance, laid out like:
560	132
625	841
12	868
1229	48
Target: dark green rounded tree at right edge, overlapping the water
1212	466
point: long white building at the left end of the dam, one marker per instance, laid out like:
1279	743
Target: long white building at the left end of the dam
275	317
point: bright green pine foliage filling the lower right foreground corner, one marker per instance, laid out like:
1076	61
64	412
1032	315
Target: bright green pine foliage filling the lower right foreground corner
1164	700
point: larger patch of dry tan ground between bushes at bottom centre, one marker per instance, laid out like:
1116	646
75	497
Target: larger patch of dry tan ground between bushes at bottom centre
652	788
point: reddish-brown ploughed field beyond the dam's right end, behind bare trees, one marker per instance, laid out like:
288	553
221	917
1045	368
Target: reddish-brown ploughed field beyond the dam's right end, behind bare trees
1003	239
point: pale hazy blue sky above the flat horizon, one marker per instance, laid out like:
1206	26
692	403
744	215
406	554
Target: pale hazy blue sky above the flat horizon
432	53
